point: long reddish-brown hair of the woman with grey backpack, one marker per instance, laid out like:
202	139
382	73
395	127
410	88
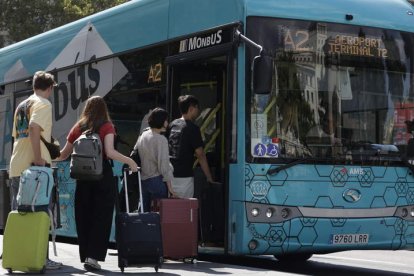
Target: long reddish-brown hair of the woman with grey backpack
94	114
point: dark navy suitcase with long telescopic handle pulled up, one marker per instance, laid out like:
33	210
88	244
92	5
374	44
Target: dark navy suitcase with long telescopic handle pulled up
138	235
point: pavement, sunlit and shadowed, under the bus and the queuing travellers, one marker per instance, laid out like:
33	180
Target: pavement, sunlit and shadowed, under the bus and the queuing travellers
354	263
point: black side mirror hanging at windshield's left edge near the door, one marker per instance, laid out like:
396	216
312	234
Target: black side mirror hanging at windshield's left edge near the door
262	71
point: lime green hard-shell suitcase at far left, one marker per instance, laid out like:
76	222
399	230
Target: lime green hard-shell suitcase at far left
25	242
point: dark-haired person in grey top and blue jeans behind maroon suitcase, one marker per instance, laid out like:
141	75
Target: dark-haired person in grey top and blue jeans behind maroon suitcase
155	161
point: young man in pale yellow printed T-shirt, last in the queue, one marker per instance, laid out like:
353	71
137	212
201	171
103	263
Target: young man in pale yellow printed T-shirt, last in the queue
30	123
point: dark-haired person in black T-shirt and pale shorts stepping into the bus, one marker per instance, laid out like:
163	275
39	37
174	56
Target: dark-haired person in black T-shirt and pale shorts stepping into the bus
184	140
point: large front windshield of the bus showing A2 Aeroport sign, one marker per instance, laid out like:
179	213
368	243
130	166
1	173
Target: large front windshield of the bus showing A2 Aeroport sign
338	92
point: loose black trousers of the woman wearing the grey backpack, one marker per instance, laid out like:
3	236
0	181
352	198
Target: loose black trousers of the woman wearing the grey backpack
94	206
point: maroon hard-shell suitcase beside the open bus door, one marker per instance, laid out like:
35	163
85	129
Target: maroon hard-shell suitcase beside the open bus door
179	227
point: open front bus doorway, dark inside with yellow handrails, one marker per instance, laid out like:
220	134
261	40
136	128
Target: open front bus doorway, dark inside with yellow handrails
207	80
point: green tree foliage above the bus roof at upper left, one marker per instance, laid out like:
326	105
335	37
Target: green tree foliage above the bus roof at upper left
21	19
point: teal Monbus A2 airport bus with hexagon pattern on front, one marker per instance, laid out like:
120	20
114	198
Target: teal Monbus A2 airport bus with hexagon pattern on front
306	112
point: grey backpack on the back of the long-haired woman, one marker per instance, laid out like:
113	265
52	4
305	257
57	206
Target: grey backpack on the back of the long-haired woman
87	157
